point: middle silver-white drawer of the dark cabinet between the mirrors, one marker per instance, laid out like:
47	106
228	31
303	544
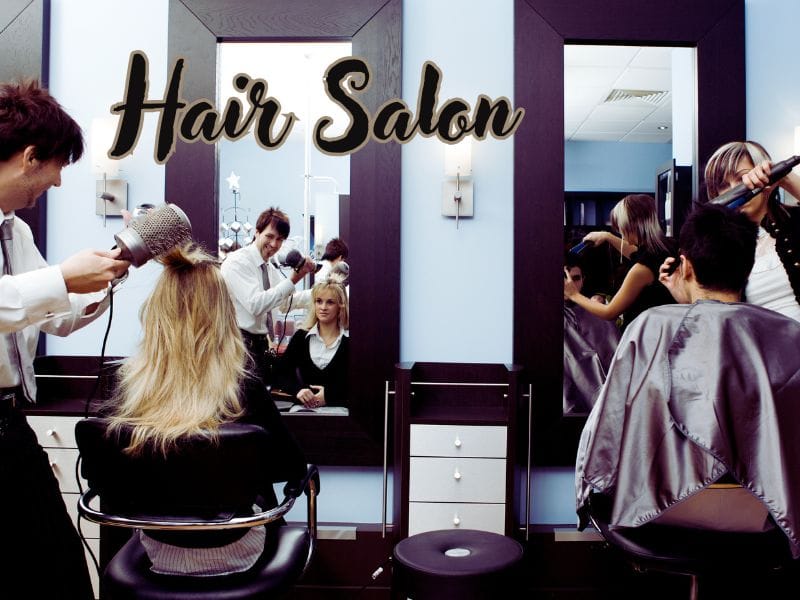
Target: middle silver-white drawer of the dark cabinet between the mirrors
457	480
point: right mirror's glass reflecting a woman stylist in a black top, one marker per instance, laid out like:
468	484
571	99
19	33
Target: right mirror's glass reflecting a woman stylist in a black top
629	121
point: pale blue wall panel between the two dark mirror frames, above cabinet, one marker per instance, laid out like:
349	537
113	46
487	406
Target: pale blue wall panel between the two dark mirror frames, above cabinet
456	284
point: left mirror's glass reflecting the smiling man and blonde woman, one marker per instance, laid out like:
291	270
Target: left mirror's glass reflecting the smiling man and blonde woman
307	332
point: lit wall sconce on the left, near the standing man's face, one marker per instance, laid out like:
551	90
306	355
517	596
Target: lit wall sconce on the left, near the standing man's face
111	192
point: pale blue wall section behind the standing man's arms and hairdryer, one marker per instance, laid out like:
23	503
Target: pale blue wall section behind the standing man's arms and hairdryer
90	45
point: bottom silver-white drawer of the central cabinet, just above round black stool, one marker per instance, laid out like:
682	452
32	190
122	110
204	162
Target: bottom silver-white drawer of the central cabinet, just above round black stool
430	516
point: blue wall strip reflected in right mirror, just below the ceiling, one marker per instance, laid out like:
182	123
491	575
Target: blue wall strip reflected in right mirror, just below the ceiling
613	167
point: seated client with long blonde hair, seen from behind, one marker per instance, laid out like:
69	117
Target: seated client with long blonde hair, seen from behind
190	374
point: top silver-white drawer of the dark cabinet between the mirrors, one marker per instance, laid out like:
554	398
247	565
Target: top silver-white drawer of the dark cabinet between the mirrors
458	440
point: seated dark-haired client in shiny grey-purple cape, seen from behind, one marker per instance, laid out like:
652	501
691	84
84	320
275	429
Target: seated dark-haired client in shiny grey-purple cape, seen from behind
698	391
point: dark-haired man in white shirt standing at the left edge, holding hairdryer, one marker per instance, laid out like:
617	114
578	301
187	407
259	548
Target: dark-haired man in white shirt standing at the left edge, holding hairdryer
44	557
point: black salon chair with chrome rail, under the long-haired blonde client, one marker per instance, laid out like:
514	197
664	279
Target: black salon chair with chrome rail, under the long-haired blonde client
202	493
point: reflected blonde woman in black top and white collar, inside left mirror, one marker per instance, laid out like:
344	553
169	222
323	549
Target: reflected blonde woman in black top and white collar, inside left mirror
313	369
